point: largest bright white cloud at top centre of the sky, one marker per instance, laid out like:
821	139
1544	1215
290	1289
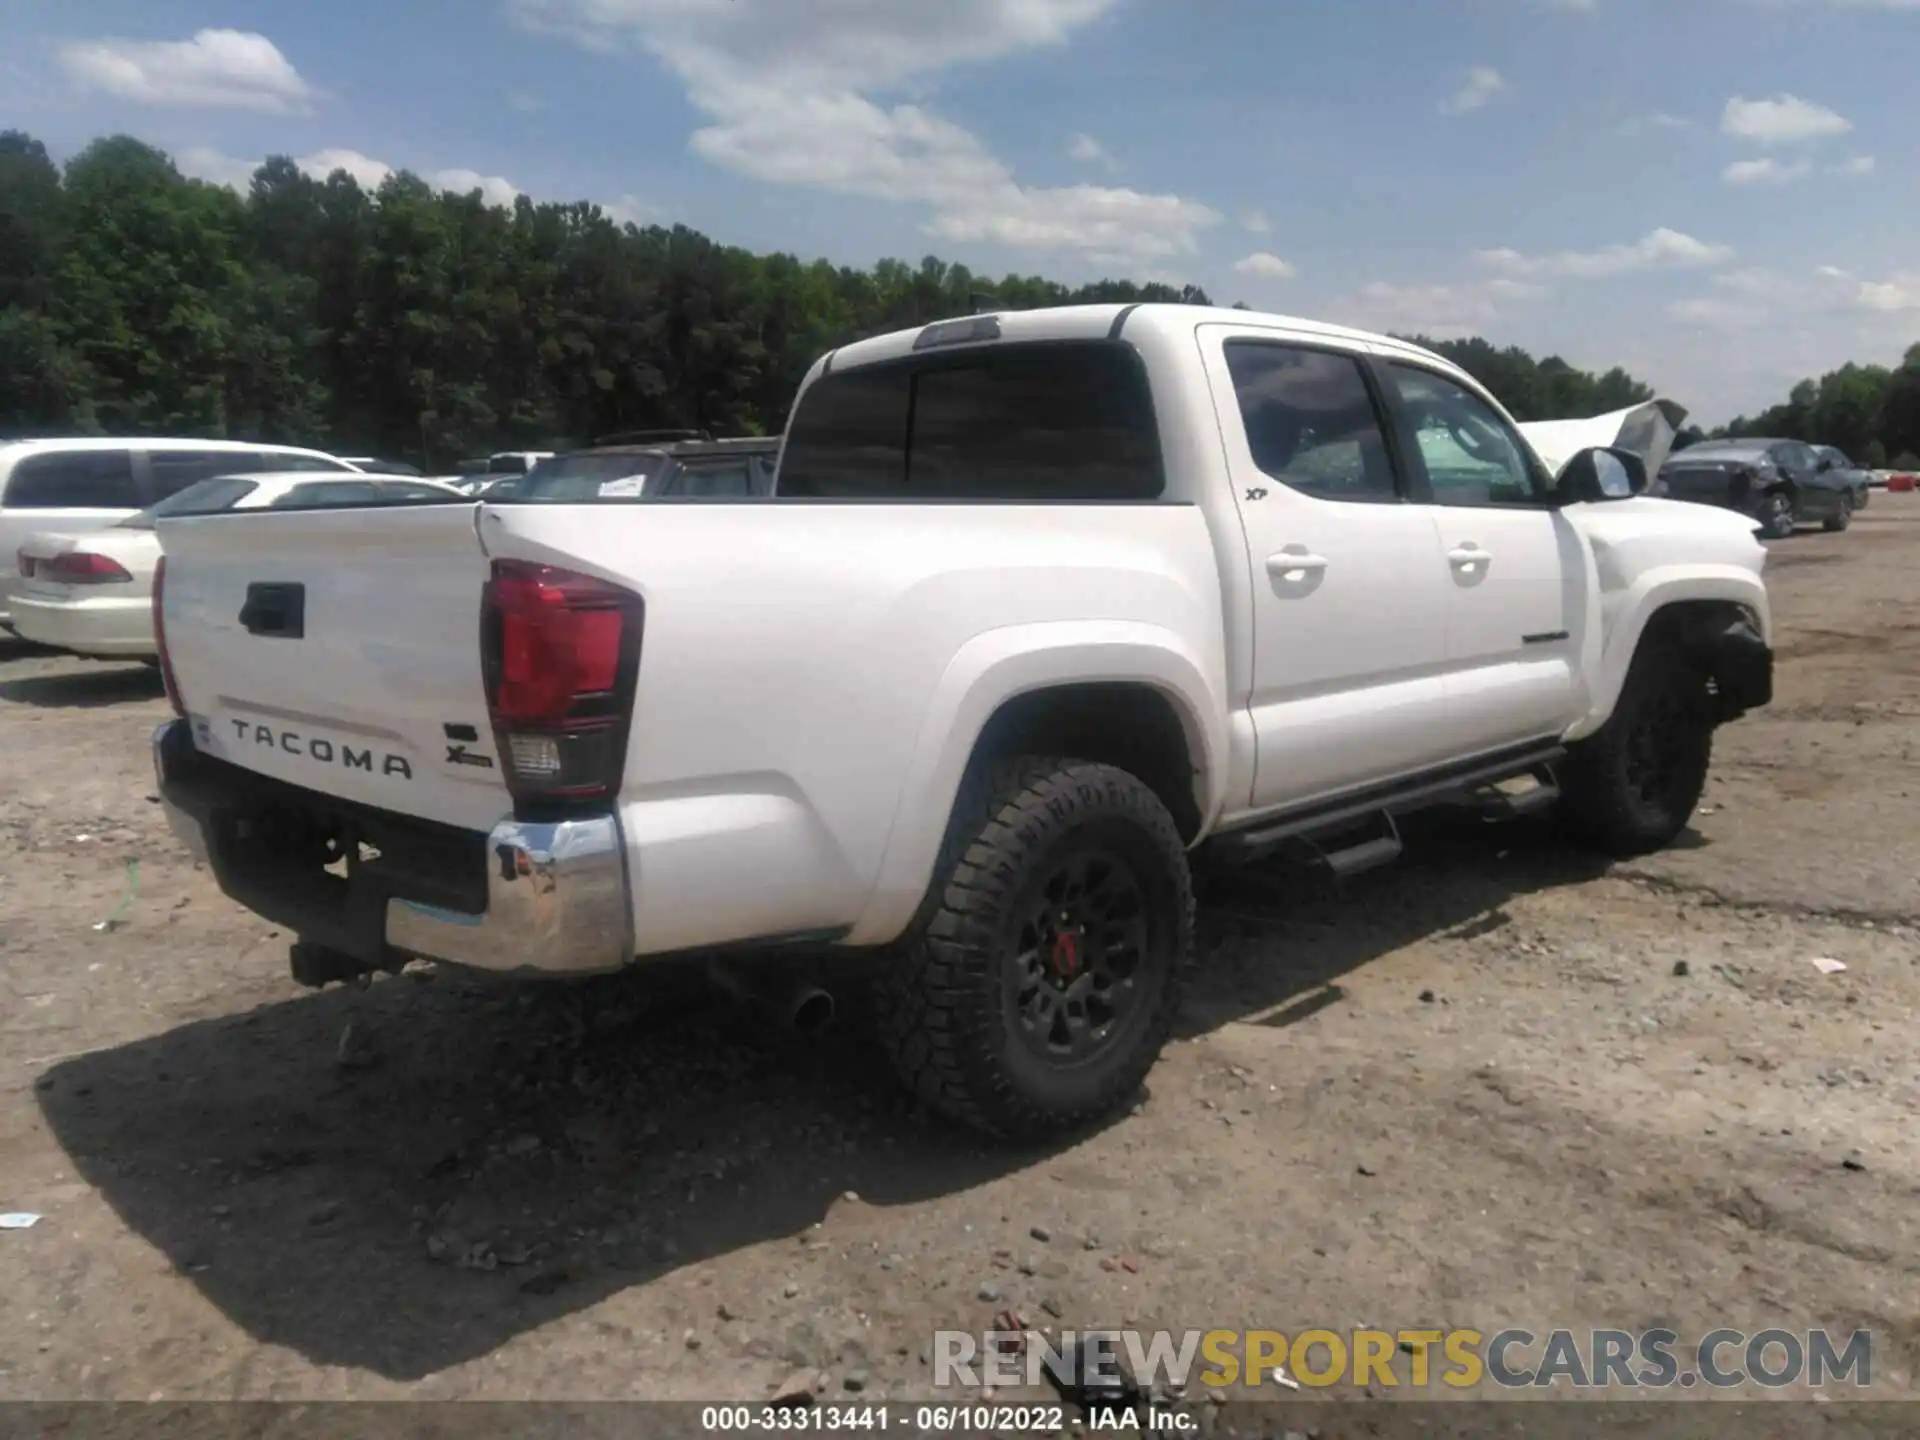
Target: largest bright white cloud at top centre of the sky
794	95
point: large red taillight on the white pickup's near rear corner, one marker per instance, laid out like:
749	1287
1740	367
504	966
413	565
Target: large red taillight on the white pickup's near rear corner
562	654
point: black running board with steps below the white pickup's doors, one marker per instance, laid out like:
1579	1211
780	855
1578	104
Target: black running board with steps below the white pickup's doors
1477	784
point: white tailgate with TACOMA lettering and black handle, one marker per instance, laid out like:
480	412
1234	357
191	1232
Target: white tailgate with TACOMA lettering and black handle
339	652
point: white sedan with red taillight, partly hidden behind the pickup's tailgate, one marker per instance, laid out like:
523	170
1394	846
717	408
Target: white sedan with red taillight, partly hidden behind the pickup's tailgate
95	594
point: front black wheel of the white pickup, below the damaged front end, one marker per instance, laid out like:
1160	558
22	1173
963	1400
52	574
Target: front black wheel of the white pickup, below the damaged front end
1633	786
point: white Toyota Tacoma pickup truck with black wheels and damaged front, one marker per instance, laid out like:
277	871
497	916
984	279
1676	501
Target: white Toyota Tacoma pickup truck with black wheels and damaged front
1044	602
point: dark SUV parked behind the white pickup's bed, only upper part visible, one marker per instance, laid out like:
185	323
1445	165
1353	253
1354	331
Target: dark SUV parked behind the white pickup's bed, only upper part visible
654	466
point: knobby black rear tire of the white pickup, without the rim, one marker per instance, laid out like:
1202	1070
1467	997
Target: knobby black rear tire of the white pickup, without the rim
944	1003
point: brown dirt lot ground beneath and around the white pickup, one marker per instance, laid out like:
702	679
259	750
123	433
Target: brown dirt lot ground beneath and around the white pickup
1497	1084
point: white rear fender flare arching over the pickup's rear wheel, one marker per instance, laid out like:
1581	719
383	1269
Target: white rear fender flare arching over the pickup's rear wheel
1015	661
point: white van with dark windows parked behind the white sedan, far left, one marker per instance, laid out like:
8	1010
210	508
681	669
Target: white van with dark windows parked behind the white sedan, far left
85	485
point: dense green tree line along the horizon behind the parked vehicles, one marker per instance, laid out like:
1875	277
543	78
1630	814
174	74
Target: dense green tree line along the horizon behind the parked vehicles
429	325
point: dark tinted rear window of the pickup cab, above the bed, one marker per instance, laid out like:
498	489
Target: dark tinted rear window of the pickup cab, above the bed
1067	421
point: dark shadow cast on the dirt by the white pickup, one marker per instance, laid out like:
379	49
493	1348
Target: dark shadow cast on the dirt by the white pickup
475	1161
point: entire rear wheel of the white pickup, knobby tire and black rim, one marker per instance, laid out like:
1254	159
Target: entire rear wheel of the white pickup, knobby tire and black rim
1044	982
